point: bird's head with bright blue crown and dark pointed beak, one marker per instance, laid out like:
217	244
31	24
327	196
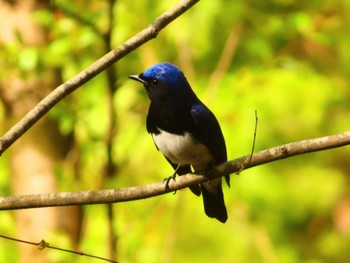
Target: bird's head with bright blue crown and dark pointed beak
163	81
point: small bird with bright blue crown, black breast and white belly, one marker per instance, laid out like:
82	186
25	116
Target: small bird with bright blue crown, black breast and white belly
185	131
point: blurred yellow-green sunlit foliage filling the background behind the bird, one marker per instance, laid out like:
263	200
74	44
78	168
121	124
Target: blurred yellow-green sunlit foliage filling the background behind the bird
290	64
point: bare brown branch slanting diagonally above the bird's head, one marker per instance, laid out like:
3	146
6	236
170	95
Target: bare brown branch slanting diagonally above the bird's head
91	71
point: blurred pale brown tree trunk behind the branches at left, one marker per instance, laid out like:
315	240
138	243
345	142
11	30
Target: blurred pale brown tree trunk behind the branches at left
35	156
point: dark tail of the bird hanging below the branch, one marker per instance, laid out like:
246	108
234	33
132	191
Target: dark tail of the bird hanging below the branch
213	198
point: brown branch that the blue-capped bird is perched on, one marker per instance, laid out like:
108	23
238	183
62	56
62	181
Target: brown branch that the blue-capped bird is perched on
146	191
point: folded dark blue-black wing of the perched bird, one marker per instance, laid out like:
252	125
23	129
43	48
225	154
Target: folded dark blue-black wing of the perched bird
209	133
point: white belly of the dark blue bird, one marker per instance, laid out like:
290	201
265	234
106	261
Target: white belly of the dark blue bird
183	149
